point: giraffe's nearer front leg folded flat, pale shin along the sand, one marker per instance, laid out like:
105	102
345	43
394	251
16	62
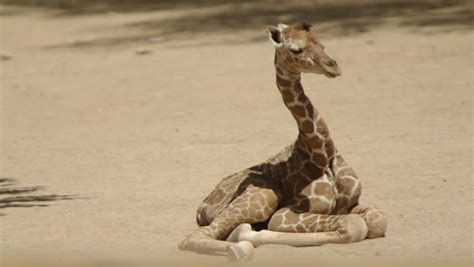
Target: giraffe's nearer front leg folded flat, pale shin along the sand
304	229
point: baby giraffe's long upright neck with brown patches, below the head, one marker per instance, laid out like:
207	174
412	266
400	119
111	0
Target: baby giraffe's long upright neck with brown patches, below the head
313	140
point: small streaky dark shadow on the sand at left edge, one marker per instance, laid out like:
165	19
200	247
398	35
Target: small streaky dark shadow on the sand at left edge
14	196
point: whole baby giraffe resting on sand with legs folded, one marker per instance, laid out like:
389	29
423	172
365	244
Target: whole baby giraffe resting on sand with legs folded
306	195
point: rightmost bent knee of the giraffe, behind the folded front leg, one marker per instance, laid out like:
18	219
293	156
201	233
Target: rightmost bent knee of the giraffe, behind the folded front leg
375	219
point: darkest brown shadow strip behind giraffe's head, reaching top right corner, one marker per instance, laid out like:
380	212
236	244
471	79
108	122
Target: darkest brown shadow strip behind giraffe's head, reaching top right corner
347	18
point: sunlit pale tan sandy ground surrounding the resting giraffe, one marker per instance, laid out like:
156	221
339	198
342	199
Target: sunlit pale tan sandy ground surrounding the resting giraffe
137	141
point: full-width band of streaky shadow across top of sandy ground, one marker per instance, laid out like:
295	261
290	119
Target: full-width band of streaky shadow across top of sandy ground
207	17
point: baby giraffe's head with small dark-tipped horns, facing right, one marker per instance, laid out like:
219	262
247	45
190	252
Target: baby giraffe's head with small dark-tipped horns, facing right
301	51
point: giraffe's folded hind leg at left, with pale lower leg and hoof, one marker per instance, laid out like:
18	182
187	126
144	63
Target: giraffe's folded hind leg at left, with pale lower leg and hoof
254	205
